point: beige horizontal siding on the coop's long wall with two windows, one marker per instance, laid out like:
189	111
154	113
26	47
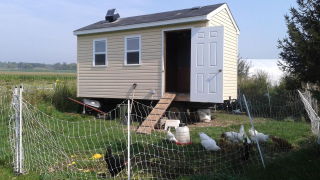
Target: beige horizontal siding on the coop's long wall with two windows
115	81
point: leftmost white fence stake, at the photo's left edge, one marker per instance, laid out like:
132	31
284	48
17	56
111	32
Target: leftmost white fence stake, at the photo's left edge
15	95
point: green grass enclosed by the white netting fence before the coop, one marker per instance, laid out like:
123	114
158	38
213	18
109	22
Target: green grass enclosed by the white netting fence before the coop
71	134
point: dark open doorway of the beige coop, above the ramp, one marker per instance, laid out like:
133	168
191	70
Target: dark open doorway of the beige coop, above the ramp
177	61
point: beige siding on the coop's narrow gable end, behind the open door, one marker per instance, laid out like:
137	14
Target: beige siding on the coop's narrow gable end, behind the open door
230	53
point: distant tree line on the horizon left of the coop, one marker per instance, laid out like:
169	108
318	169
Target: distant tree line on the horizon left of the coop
24	65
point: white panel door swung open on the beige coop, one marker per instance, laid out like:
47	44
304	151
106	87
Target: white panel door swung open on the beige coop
207	64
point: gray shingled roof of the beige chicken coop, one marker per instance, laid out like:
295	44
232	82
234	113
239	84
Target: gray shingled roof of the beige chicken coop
178	14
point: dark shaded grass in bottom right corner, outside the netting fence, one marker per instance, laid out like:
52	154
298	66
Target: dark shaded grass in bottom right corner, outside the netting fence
303	164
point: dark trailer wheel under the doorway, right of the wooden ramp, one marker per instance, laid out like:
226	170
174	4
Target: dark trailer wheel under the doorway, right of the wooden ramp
177	111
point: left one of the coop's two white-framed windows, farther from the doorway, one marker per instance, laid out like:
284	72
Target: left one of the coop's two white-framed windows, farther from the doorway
100	52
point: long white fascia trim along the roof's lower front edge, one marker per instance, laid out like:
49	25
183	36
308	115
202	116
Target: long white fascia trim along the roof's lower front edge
143	25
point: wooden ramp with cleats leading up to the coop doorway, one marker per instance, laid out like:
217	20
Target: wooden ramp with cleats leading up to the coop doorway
148	124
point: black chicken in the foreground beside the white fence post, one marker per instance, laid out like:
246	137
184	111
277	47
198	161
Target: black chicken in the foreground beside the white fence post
114	165
